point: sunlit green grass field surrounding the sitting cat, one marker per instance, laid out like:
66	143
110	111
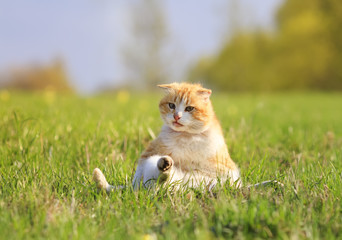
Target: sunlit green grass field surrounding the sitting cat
50	145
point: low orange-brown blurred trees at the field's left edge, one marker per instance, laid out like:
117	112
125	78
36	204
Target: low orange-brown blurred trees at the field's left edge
51	77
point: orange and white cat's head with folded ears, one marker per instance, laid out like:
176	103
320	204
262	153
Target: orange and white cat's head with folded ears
186	107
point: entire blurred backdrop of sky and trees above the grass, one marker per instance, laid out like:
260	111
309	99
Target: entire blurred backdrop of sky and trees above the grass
88	46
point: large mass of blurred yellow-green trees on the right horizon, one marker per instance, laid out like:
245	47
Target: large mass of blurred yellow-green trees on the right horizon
304	53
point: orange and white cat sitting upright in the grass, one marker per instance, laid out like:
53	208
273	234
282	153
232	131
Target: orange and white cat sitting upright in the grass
190	149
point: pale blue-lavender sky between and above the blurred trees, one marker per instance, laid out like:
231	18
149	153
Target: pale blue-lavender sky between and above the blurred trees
89	34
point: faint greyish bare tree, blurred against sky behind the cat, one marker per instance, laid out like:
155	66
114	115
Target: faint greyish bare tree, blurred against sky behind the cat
145	56
